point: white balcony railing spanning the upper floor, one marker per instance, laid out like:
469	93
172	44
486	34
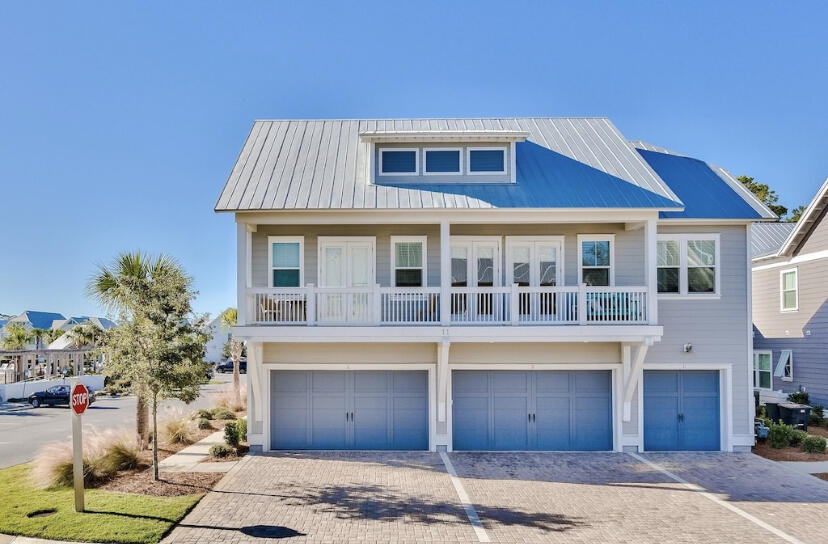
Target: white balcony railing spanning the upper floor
515	305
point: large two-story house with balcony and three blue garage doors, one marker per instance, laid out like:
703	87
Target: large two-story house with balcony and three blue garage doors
490	284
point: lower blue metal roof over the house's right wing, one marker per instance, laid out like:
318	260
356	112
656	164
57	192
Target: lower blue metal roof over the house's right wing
706	195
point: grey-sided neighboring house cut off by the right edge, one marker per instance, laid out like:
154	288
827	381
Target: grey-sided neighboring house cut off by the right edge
790	303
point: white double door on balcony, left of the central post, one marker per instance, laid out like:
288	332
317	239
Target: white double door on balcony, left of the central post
346	280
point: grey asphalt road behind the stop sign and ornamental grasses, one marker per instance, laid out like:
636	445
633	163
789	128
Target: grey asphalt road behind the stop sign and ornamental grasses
22	433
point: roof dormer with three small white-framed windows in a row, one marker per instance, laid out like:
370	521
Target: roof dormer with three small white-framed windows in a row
487	156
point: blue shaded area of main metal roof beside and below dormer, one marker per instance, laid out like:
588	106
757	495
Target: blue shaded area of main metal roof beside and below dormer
548	179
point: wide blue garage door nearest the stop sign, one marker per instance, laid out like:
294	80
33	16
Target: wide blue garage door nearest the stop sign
372	410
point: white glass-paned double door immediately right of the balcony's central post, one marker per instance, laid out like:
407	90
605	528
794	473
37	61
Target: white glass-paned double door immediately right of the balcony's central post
476	265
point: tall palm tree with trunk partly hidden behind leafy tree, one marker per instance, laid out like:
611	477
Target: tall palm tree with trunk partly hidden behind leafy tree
121	285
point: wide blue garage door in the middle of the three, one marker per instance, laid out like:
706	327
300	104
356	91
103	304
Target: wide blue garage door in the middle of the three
544	410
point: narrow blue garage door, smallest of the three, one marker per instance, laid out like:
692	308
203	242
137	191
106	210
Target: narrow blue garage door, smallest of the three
681	410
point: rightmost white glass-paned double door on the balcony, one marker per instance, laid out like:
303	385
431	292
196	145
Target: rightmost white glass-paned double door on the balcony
536	264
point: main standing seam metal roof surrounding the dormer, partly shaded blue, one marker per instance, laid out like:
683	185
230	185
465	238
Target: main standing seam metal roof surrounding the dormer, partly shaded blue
323	164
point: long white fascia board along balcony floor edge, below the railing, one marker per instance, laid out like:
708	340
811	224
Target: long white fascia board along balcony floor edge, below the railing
488	334
